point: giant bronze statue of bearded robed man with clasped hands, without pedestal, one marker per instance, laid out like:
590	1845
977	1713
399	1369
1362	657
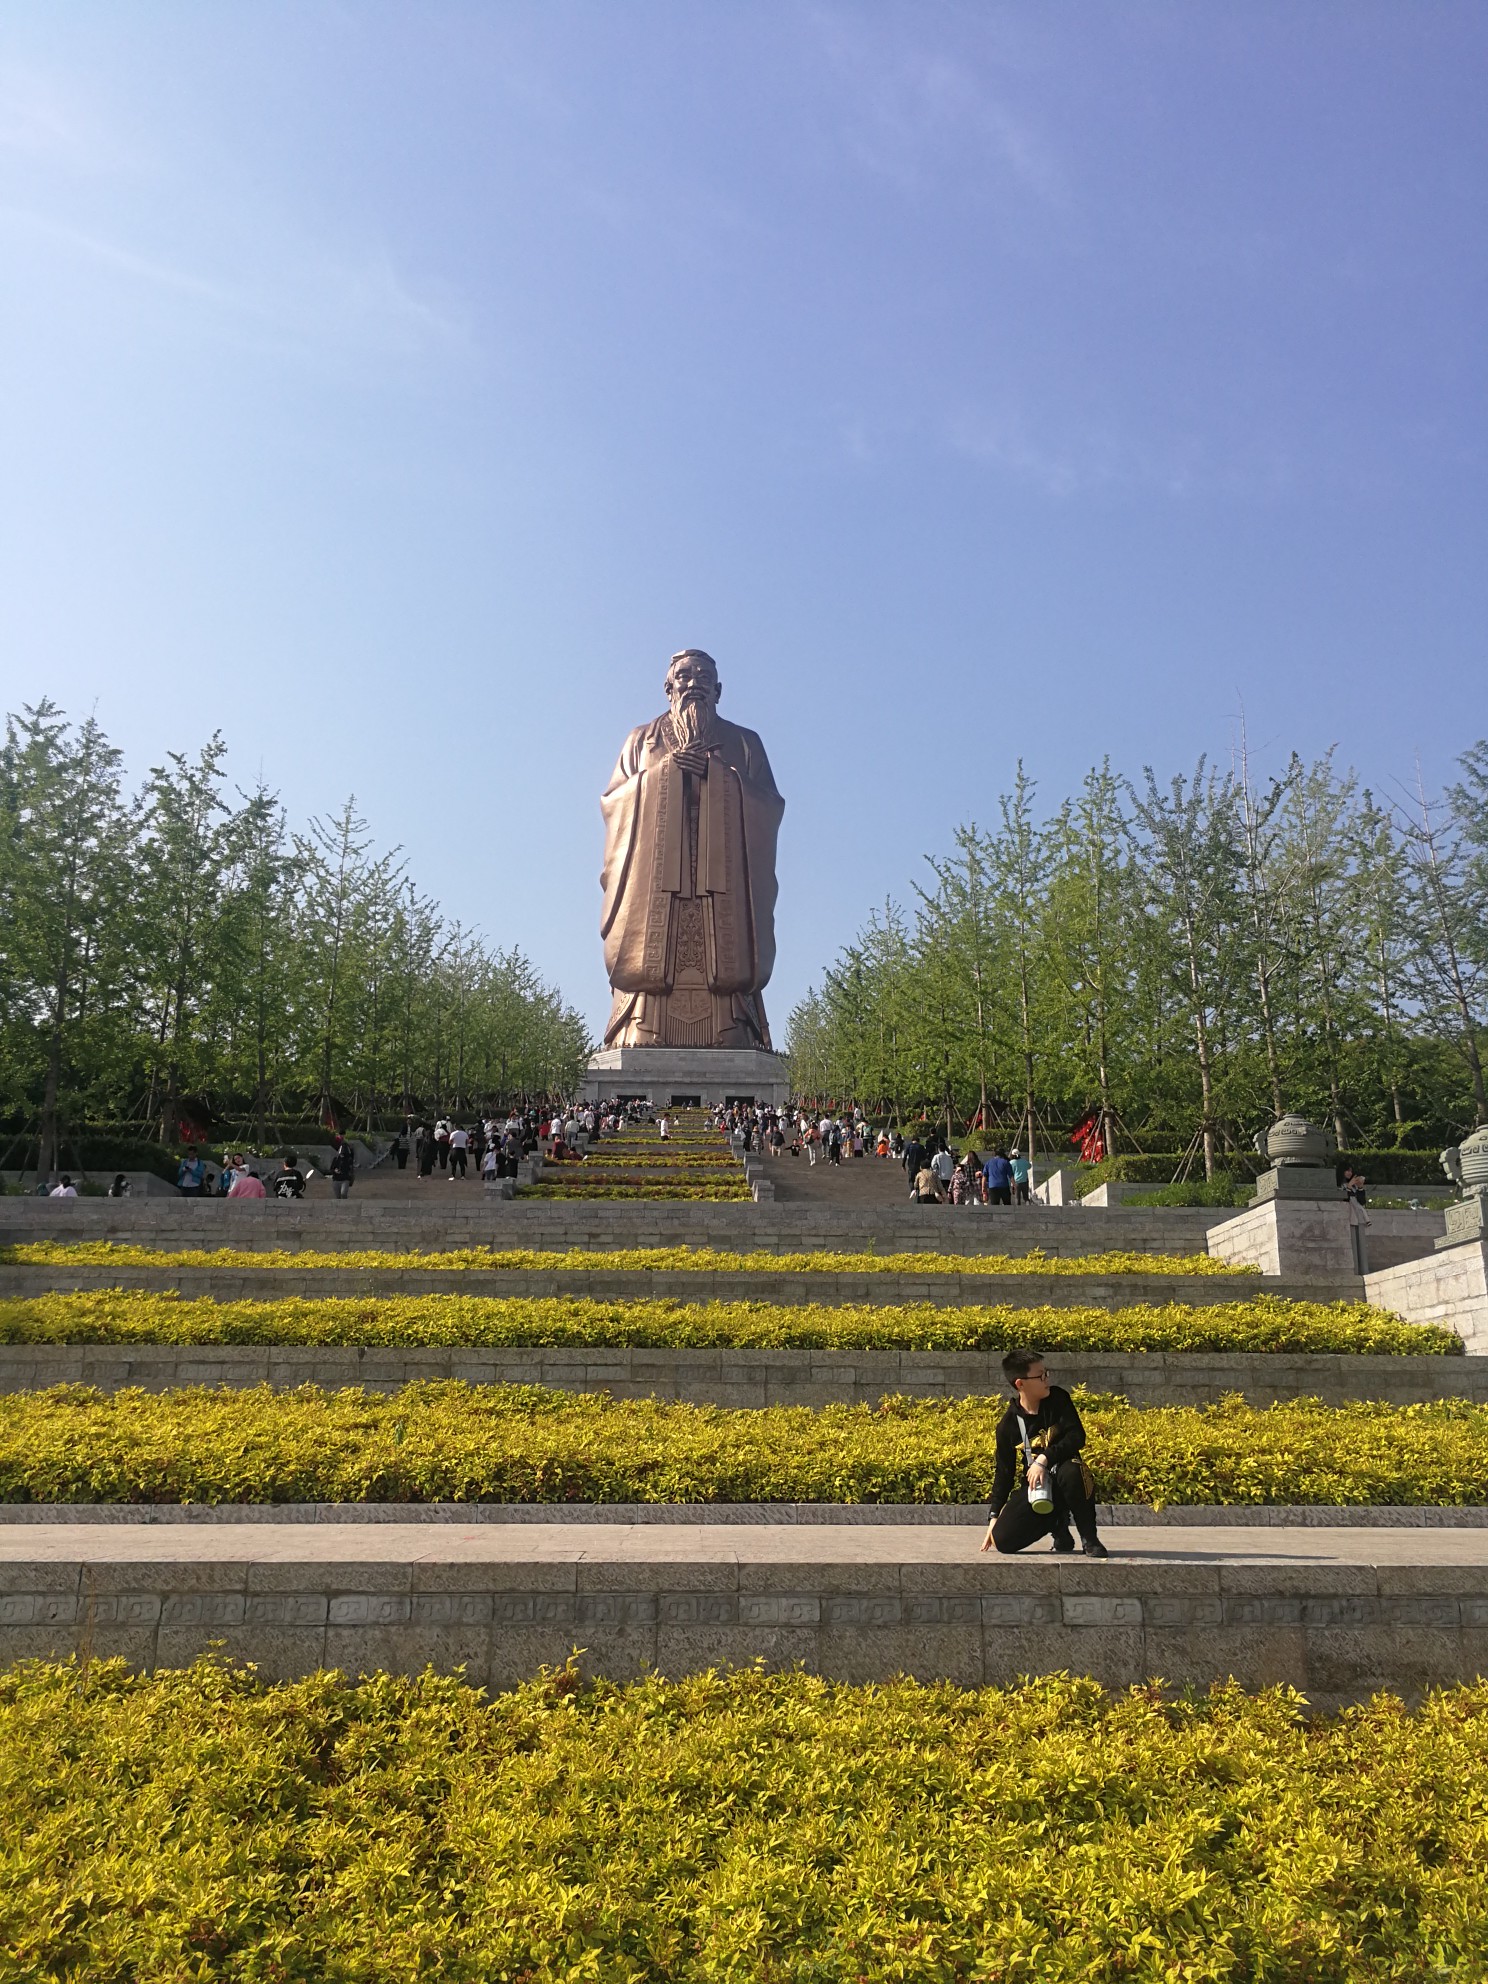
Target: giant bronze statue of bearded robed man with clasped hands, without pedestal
689	920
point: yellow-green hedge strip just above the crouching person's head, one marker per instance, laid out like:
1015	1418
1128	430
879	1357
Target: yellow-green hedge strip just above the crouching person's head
1263	1324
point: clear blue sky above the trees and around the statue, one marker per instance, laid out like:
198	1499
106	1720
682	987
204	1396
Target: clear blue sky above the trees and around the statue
398	386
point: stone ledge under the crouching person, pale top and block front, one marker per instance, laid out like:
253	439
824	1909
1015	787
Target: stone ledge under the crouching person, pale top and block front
1338	1614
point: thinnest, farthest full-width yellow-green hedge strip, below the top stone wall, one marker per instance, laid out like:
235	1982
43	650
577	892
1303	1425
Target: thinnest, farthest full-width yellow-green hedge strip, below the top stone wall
558	1261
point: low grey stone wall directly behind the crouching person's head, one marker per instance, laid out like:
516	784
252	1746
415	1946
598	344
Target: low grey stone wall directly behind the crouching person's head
745	1378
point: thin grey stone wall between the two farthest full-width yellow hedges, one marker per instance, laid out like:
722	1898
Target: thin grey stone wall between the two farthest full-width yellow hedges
638	1285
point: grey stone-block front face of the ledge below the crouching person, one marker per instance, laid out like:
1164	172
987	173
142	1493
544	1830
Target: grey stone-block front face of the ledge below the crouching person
1334	1632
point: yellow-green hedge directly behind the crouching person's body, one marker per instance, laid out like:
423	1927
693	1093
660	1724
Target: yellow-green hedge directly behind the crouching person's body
523	1443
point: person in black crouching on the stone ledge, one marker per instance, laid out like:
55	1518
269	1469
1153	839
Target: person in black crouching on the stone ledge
1045	1431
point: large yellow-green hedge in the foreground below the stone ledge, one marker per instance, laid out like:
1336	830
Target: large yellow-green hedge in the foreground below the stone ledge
733	1830
